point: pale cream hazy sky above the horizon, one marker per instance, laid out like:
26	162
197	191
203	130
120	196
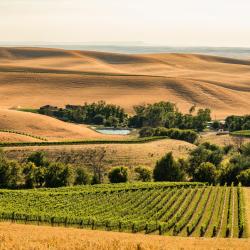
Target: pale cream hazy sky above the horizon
163	22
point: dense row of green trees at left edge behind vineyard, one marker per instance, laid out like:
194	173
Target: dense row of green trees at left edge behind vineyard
37	172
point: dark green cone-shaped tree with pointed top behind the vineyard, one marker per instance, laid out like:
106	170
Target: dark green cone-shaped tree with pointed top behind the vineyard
167	169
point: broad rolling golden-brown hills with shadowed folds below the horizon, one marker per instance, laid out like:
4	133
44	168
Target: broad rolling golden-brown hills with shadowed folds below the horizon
73	77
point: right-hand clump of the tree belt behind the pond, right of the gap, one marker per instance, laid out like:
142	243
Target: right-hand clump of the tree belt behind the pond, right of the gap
166	114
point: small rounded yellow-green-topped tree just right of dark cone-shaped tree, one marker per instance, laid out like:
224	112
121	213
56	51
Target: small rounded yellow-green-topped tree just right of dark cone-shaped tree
206	172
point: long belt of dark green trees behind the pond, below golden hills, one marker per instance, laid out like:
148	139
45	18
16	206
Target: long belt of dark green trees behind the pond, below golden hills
161	114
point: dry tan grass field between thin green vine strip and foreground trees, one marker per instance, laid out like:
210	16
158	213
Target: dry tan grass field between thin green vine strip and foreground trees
130	155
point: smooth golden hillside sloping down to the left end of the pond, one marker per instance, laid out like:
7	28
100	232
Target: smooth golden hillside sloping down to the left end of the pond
46	127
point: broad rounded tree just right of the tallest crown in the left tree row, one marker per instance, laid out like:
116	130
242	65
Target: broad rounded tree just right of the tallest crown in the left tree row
58	175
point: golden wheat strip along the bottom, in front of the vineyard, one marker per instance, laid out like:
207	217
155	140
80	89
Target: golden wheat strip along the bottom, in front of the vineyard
14	236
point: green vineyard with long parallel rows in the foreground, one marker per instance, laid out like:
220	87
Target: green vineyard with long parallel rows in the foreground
183	209
